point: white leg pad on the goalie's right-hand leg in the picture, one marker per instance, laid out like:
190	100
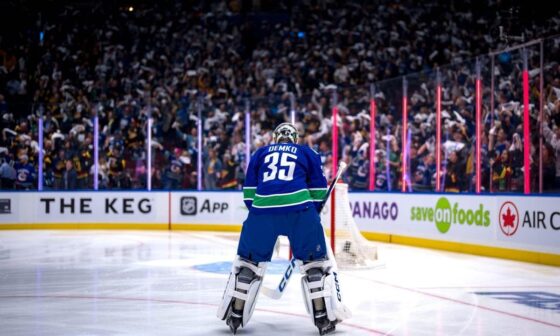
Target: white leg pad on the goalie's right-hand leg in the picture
328	288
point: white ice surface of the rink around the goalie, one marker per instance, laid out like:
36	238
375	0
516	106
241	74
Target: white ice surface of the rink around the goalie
170	283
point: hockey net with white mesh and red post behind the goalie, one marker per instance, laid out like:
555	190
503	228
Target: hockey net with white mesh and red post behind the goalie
351	249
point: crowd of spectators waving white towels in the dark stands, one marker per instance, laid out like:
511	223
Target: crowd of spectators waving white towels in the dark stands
180	63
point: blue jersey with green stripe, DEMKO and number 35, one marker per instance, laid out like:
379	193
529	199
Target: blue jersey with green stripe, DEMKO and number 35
283	178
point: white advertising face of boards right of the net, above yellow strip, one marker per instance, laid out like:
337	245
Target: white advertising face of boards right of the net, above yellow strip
521	223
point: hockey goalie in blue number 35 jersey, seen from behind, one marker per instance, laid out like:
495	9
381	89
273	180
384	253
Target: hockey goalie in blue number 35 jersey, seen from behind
284	191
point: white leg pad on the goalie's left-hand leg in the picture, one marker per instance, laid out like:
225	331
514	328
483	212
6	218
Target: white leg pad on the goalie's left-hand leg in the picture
246	291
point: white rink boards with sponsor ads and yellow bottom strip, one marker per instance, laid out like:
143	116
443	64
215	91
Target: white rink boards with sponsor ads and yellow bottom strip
512	227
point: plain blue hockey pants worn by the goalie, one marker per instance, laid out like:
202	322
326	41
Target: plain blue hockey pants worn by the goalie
303	229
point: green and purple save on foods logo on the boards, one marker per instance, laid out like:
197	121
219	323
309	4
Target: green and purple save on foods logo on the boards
445	214
